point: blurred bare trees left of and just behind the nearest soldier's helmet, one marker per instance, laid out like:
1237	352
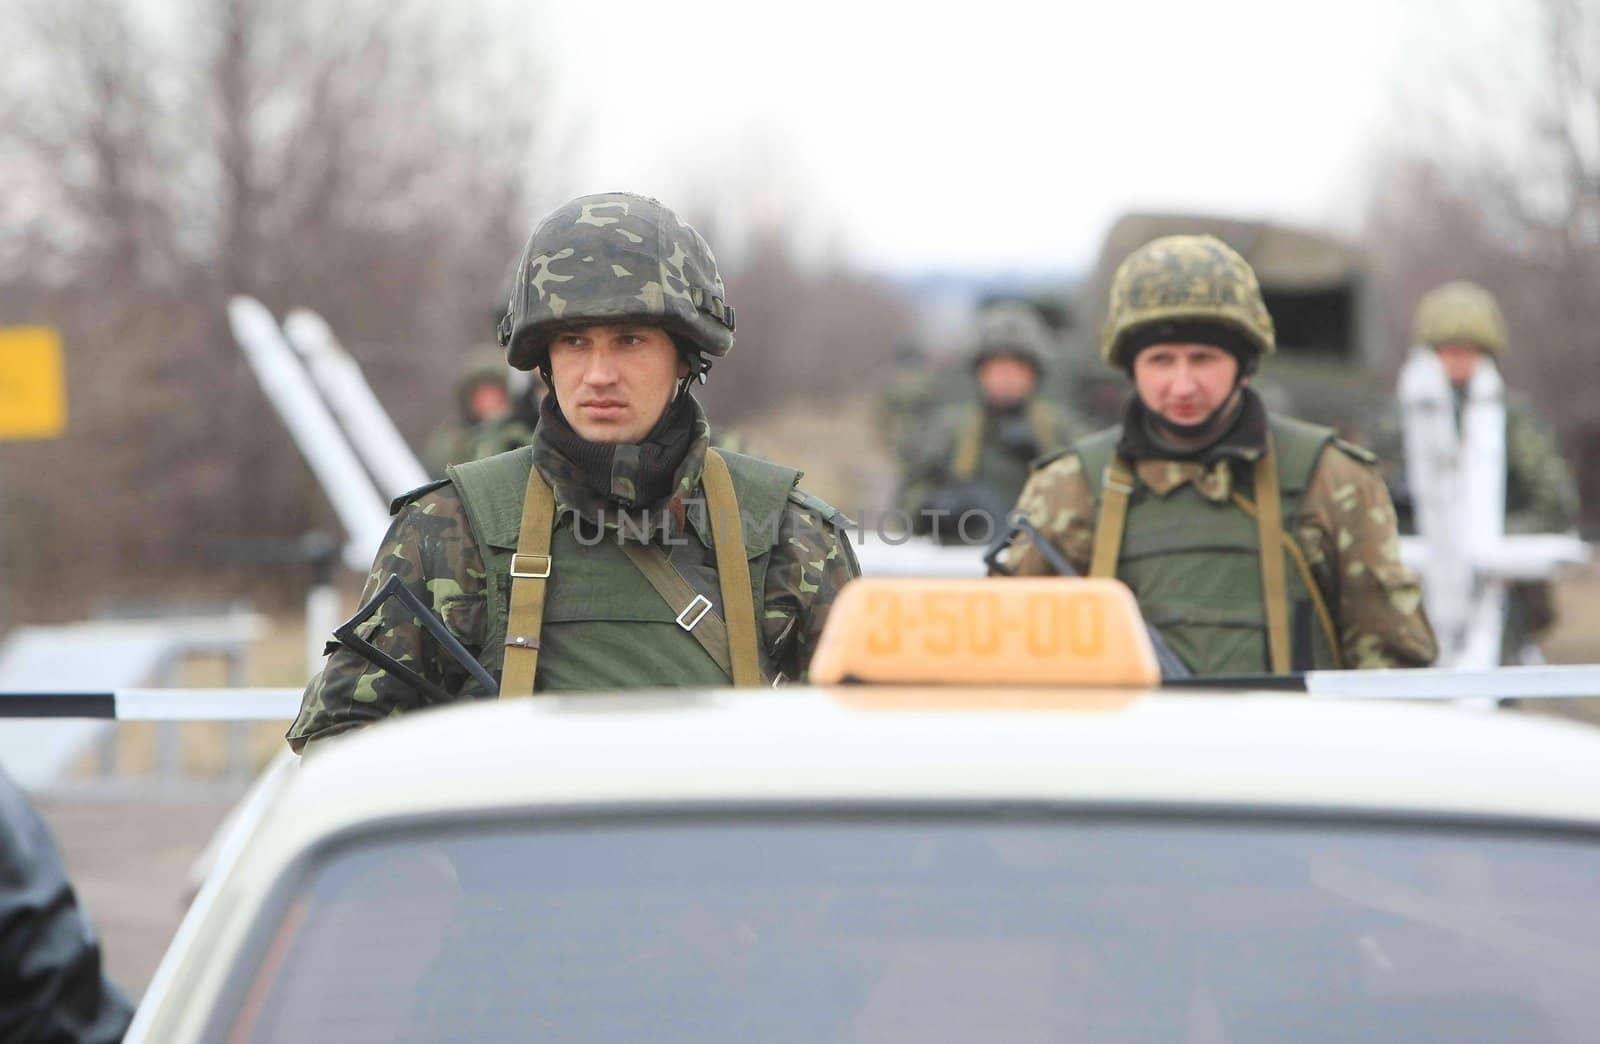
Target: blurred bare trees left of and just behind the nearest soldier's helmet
377	163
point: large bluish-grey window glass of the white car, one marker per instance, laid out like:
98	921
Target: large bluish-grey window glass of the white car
937	928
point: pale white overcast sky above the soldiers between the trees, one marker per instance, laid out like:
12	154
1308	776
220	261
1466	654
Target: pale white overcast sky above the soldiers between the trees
993	135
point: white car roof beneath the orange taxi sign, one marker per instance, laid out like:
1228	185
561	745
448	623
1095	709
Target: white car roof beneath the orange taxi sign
860	744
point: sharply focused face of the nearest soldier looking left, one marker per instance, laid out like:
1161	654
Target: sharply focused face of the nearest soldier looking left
615	382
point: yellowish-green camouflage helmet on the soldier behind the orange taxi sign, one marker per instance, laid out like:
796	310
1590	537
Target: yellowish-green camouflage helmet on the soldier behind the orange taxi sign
1186	287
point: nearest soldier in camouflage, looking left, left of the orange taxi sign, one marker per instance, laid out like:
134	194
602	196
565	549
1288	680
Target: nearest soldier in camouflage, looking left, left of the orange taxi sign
622	308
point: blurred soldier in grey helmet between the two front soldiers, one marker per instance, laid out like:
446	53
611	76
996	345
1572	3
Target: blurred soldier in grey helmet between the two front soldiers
978	456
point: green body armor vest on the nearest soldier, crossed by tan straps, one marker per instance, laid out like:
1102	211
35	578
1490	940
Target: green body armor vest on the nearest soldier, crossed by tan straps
606	627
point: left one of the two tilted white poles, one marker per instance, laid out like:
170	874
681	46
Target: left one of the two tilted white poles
361	510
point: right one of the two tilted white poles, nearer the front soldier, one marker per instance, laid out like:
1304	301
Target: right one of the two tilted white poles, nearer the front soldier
353	401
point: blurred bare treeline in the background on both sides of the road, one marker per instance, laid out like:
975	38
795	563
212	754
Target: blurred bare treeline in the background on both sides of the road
383	163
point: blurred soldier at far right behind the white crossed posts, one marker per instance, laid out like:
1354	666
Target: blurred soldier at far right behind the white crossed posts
1463	323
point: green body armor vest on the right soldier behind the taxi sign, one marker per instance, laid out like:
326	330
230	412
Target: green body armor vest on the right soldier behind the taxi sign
1196	564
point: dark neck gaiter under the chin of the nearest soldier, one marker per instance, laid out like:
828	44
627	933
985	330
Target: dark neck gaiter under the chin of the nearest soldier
630	475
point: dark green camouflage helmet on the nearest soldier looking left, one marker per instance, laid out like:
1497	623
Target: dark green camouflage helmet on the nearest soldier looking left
617	257
